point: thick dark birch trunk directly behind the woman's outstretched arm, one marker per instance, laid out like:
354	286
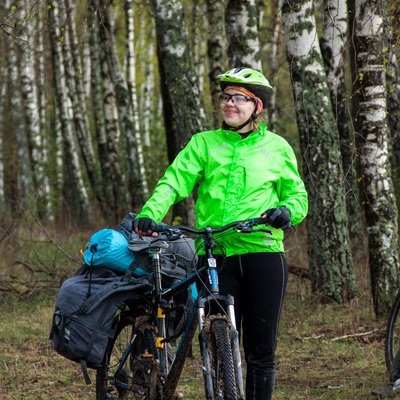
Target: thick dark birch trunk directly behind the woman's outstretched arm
183	108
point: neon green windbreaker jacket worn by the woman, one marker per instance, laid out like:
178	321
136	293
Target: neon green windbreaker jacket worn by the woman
237	179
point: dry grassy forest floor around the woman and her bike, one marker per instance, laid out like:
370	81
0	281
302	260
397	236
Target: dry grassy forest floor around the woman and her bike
324	351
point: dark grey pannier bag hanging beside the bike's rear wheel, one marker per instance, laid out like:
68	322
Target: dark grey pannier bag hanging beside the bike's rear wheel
85	308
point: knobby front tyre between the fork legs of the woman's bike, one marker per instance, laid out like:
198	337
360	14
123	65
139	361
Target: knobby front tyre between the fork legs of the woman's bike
222	365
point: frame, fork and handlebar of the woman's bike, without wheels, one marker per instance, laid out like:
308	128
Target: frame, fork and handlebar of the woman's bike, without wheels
198	317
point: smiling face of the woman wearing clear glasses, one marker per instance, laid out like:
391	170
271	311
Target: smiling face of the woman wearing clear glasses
236	107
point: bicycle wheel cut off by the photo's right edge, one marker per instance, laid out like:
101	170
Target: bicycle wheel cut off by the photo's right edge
392	341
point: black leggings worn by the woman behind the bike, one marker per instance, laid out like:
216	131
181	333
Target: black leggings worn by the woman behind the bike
257	281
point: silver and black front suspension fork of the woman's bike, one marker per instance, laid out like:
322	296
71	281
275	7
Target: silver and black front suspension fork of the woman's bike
204	325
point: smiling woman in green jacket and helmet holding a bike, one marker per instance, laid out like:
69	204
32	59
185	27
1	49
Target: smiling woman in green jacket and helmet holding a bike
242	171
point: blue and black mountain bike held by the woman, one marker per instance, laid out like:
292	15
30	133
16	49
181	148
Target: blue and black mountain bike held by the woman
140	362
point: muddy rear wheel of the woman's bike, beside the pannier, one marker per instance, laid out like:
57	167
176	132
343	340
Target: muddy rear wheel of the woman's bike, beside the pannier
138	377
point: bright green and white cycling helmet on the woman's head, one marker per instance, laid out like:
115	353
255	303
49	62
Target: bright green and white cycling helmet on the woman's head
252	80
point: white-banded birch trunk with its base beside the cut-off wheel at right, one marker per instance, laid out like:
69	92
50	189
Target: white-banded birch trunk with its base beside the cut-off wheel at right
372	144
